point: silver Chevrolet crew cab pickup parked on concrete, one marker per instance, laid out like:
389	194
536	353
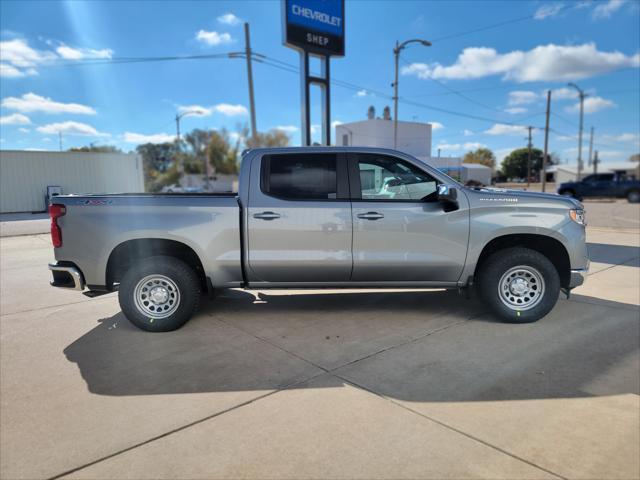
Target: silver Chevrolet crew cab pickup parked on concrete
320	217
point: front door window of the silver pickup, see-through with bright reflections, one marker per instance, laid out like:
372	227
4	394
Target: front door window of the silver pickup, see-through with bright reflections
388	178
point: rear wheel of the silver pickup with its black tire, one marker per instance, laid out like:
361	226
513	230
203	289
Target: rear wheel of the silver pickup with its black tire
180	277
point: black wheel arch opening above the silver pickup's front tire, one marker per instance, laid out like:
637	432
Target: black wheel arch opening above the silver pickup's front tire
548	246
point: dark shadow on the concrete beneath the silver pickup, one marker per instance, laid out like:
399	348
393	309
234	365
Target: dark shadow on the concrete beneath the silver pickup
411	345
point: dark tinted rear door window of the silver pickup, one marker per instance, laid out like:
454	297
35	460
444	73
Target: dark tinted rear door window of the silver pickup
300	177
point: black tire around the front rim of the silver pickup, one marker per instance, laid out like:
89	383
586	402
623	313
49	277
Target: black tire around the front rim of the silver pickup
503	261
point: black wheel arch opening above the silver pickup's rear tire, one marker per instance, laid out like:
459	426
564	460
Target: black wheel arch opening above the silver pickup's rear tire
125	254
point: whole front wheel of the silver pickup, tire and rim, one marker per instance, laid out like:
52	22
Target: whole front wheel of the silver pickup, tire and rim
519	284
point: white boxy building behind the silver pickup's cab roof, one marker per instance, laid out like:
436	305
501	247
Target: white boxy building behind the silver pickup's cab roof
413	138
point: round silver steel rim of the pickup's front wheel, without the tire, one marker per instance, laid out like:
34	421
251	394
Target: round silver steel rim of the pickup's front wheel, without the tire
521	287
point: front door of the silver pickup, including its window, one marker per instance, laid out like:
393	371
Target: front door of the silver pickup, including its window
401	232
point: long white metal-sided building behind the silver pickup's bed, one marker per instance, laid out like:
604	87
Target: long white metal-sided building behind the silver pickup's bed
24	176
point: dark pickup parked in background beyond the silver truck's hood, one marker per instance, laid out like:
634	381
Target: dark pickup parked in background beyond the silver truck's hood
612	185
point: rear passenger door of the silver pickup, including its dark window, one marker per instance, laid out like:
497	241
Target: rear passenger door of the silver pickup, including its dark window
299	219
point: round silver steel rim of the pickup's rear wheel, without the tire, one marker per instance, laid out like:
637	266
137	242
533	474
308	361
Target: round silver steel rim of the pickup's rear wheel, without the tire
156	296
